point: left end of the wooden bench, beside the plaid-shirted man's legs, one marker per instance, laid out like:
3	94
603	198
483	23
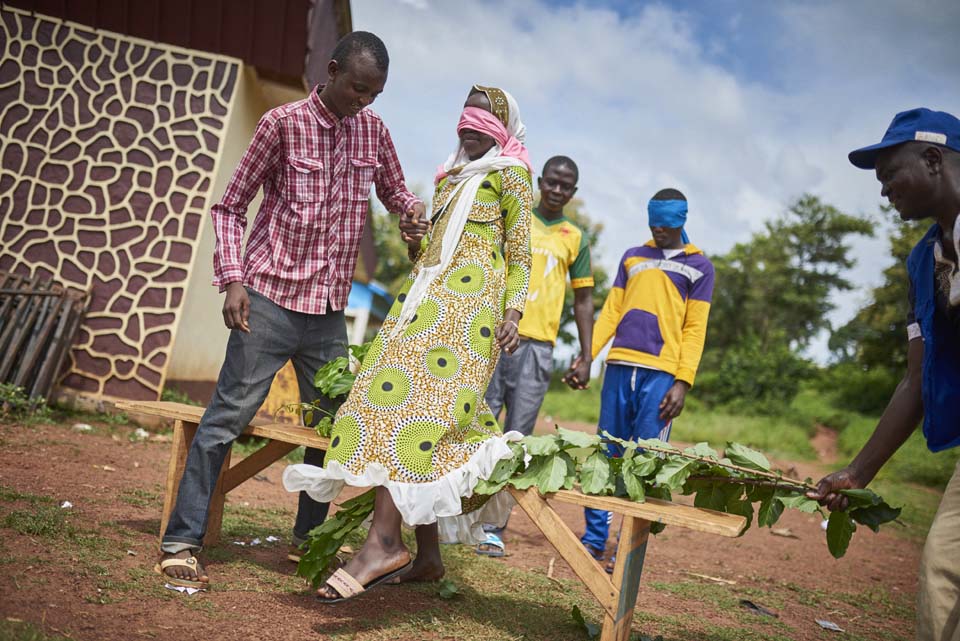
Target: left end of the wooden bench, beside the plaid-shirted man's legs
282	438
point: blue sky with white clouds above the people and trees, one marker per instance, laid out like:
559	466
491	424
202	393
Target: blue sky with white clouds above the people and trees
741	105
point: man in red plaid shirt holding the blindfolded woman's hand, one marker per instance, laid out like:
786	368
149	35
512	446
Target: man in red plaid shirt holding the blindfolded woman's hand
315	160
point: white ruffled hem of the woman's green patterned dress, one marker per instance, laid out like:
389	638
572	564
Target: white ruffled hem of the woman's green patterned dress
421	503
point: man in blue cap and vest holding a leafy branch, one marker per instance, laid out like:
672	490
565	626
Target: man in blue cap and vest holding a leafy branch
918	166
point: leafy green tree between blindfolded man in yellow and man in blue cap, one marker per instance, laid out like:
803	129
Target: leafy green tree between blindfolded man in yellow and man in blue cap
772	297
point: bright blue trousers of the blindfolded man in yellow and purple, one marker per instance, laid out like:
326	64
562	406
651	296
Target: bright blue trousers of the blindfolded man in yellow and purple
629	409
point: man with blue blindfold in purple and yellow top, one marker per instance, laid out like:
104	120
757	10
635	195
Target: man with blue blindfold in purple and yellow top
656	314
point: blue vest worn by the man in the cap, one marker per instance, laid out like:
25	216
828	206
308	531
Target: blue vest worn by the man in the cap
941	351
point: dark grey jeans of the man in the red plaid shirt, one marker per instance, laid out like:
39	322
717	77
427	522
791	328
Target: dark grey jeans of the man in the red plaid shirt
252	360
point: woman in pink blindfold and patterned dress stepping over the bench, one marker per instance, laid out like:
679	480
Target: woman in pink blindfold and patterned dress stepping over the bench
416	426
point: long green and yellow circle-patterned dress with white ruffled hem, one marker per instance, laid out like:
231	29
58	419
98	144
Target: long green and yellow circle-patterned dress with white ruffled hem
416	420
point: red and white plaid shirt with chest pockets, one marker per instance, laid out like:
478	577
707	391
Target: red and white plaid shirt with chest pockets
316	172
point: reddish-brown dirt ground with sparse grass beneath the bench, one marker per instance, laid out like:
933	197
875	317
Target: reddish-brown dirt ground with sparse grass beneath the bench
100	585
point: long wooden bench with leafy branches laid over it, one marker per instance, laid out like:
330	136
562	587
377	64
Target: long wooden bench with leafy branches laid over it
617	594
